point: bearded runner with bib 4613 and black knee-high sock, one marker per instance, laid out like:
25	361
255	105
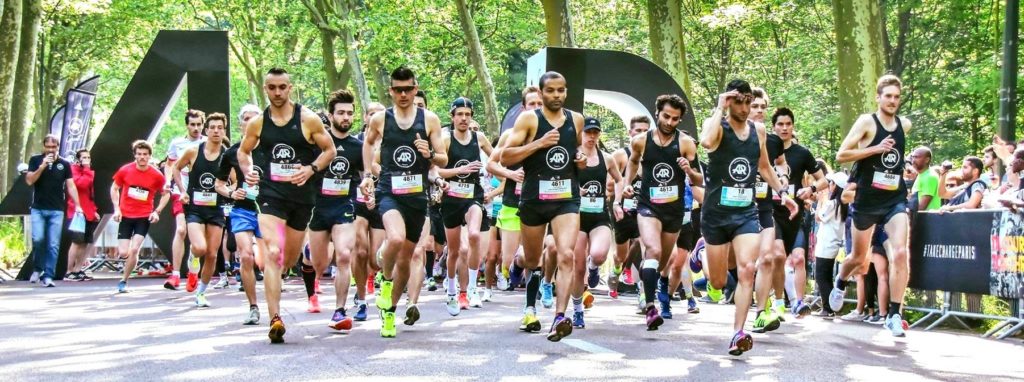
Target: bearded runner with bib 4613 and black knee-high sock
662	153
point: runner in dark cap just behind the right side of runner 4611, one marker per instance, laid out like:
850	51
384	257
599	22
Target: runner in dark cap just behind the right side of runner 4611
594	239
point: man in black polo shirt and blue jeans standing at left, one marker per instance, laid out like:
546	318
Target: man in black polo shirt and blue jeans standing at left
49	176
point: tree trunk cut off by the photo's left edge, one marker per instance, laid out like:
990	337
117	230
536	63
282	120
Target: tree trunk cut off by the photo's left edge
11	24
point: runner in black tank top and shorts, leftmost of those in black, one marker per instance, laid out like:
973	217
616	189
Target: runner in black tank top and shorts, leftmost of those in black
204	217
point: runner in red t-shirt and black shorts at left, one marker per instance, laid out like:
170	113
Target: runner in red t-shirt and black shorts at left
135	187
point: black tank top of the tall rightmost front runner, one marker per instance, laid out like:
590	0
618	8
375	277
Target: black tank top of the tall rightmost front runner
880	182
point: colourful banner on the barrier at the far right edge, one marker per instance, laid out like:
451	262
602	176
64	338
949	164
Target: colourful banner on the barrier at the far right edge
1007	276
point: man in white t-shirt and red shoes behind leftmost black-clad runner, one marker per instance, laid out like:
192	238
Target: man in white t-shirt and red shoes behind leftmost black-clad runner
195	121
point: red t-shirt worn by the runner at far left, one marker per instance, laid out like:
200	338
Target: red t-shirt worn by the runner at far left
139	190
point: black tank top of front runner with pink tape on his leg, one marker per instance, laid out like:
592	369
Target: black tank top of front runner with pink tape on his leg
286	151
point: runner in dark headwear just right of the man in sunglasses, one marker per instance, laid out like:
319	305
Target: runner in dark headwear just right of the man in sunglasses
462	206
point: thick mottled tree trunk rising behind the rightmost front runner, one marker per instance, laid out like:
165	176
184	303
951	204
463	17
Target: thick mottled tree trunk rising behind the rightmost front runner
860	57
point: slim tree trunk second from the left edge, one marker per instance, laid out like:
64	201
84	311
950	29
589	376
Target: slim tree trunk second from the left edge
21	119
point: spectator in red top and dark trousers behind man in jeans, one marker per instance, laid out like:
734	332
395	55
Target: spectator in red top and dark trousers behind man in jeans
81	243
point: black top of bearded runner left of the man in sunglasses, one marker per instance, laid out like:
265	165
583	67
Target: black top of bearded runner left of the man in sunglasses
343	178
